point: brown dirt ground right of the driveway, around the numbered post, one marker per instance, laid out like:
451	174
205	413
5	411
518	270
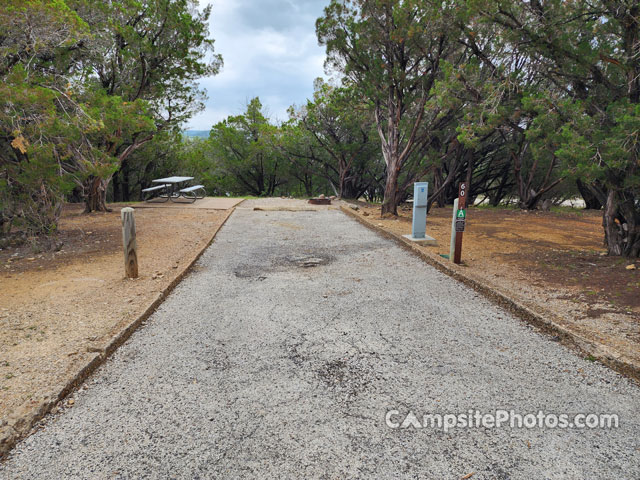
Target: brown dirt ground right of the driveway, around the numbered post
554	262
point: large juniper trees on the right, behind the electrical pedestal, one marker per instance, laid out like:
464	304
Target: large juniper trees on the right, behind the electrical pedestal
537	92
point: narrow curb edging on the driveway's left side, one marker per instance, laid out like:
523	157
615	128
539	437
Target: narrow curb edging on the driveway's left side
20	424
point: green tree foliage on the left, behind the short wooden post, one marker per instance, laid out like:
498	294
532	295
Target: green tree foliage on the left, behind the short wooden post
85	85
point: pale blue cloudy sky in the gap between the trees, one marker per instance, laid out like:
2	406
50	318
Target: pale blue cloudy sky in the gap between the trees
270	50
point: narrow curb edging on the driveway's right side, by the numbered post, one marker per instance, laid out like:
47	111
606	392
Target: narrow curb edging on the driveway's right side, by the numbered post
545	323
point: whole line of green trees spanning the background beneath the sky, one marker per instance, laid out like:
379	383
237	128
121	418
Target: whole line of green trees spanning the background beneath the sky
527	101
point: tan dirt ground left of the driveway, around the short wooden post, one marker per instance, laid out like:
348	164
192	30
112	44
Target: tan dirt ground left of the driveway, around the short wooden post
59	307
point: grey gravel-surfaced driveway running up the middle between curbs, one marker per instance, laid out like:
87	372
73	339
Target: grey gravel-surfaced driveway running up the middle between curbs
281	355
